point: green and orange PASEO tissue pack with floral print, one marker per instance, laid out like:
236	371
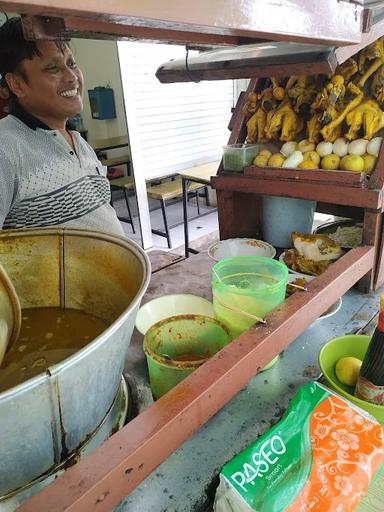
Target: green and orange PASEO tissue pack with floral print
320	457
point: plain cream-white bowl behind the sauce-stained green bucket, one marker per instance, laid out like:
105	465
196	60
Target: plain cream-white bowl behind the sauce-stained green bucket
171	305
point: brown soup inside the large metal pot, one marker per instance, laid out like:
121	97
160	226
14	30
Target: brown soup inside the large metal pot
47	336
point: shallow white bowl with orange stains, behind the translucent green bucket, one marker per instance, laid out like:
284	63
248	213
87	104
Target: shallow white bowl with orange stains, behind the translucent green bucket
240	247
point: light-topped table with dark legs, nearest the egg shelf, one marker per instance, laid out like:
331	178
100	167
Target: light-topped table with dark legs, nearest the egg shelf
199	174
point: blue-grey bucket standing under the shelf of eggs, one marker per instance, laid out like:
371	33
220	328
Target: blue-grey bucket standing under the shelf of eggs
282	215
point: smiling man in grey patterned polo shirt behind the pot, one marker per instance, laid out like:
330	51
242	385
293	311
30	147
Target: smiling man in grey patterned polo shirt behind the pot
49	175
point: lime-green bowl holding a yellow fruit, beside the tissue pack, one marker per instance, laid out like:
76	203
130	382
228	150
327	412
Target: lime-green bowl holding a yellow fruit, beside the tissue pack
353	345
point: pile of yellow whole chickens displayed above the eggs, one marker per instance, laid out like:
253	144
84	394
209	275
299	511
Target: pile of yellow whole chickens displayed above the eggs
323	107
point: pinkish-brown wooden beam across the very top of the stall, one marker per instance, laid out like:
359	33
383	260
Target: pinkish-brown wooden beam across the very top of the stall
217	22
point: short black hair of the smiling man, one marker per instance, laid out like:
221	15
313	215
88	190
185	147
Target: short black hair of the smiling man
14	48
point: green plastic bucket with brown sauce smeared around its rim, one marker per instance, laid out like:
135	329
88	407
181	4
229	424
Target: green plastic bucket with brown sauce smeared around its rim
176	346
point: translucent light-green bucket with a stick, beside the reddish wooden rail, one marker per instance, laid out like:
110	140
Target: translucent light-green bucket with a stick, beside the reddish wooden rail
250	284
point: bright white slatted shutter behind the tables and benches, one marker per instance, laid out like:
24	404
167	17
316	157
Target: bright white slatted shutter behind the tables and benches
171	126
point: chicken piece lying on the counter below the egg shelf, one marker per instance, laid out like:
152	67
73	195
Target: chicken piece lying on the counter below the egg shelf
311	254
